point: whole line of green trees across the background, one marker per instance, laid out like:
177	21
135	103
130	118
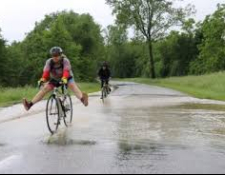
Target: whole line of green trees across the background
155	50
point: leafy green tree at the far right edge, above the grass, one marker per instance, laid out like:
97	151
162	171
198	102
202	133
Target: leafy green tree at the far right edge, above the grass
212	52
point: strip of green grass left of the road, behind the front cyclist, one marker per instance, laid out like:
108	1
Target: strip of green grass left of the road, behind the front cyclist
10	96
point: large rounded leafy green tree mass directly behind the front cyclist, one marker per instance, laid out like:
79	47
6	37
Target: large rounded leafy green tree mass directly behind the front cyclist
78	35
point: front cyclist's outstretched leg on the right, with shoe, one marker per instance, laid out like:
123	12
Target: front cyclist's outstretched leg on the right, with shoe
78	93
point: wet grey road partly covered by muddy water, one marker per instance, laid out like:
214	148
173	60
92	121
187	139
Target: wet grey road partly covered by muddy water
140	129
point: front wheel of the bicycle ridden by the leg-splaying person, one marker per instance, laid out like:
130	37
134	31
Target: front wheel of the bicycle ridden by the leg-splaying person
53	114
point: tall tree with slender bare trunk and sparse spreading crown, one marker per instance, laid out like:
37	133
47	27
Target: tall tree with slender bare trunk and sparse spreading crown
151	17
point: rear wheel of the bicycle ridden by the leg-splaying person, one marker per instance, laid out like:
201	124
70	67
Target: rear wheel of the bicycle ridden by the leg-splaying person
68	110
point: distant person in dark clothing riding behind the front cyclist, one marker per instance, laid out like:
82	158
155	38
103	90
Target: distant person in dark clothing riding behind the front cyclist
105	75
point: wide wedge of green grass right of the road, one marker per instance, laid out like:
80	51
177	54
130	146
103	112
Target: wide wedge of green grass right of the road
210	86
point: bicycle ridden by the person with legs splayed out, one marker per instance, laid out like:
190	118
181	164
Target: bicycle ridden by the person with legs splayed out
59	107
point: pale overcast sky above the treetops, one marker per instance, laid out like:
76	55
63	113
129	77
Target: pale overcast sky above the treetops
18	17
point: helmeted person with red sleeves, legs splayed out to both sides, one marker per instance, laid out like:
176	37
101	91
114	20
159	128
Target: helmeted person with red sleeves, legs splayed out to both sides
57	72
